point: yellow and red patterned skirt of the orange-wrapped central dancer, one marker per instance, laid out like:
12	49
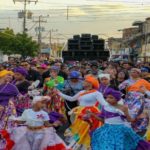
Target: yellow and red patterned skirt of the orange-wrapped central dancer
79	132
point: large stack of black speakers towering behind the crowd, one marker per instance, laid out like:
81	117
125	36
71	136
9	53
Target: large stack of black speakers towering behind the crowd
86	46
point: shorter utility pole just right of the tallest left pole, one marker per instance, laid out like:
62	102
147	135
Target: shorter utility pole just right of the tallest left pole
39	28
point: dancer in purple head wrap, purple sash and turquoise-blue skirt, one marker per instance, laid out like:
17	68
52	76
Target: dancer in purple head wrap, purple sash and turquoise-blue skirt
115	134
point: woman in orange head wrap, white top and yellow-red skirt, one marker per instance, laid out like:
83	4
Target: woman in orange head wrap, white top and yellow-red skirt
88	99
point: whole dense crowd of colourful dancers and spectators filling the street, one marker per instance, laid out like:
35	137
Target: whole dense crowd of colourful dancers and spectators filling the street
97	105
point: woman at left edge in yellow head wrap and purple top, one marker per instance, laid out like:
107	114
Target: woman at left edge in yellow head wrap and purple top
8	92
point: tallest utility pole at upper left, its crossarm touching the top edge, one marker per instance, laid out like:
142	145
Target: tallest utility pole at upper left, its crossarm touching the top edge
25	12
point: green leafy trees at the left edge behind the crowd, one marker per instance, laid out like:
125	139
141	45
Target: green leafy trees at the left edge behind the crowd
19	43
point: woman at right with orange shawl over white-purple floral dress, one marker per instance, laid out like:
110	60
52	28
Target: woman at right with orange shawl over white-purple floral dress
135	100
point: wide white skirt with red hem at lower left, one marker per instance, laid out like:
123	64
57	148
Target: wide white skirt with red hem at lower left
44	139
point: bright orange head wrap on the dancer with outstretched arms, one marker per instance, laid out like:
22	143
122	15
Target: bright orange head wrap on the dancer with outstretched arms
91	79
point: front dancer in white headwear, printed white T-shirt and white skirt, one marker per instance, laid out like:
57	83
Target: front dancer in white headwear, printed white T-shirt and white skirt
38	134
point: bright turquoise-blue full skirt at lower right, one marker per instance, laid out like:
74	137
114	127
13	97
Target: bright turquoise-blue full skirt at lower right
114	137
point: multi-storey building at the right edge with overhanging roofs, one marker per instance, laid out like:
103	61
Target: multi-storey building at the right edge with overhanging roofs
137	39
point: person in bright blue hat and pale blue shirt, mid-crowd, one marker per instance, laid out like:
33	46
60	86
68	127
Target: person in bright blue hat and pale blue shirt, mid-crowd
71	87
